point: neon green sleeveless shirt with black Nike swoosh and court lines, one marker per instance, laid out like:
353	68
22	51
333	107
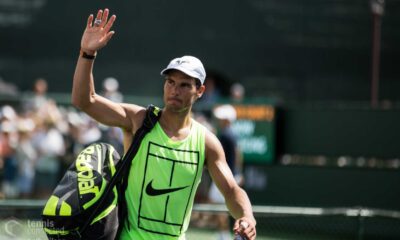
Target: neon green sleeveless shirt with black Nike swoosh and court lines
163	180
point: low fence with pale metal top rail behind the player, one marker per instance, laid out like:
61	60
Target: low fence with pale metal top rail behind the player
275	222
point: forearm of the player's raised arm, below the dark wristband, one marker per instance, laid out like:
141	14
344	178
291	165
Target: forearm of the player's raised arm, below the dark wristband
83	83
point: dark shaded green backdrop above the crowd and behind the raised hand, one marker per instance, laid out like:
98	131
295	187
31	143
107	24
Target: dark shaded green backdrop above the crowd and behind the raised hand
288	50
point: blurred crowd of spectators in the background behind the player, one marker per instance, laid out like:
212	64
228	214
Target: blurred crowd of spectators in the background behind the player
39	139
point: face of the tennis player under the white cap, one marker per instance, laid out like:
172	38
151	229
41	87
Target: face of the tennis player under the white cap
180	91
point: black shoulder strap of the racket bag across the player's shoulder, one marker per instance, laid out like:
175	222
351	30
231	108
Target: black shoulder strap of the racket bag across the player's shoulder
153	114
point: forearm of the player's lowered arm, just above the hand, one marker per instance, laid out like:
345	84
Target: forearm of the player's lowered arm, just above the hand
239	205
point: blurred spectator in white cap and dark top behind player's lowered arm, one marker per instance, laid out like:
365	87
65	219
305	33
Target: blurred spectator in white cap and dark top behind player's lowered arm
225	116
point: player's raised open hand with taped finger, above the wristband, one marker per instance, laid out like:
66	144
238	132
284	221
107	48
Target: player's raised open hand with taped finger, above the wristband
97	32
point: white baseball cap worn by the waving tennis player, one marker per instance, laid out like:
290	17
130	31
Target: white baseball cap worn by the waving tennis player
189	65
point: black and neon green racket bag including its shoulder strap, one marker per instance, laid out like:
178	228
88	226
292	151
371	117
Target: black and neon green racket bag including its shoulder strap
88	202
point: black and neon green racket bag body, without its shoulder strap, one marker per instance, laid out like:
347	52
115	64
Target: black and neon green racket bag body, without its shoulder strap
77	196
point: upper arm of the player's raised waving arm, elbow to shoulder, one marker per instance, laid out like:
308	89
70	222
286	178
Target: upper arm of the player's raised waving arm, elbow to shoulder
107	112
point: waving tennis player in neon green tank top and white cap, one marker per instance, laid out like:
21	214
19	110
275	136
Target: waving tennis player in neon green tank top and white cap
166	172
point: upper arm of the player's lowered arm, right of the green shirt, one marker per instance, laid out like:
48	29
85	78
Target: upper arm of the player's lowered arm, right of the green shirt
217	165
